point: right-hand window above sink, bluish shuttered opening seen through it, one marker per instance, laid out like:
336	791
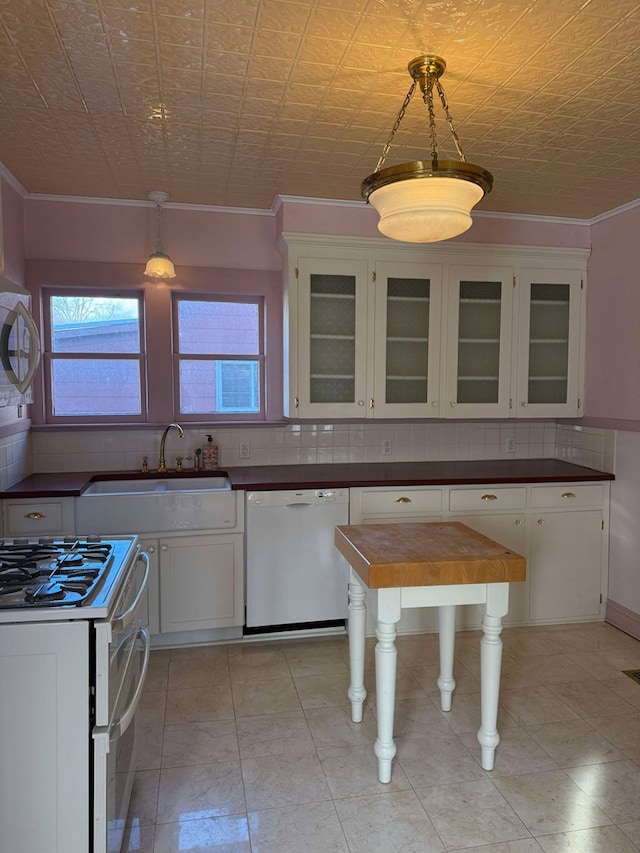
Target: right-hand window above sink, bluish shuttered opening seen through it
220	356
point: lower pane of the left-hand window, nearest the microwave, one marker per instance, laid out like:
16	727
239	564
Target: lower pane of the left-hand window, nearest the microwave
92	387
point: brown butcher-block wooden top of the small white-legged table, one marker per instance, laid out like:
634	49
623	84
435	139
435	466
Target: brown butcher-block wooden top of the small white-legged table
426	554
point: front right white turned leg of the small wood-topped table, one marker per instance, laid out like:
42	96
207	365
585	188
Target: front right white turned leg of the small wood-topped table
490	665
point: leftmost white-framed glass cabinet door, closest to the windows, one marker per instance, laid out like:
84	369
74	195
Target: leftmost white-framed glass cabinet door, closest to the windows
332	338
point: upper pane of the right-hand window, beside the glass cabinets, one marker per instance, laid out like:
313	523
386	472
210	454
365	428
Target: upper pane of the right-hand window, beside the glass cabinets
218	328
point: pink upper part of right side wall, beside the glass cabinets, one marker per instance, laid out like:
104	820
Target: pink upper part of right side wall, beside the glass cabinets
613	320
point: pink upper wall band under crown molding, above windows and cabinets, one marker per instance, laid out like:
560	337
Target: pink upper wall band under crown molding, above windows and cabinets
125	233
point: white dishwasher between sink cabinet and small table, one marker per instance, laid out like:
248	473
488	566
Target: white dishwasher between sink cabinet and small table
296	577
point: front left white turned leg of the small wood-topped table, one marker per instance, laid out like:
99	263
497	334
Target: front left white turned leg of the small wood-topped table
386	664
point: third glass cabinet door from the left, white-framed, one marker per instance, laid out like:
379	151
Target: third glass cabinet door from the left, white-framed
479	310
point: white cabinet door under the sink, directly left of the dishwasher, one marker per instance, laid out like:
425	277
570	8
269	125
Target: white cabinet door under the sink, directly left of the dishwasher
201	582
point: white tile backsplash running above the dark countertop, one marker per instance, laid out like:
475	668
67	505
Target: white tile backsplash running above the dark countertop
115	450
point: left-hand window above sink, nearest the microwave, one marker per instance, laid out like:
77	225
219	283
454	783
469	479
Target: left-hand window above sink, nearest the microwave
94	357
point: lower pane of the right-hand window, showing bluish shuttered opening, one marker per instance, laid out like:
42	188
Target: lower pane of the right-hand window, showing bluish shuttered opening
219	386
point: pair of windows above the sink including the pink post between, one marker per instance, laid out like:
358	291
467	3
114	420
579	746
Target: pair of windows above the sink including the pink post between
151	355
